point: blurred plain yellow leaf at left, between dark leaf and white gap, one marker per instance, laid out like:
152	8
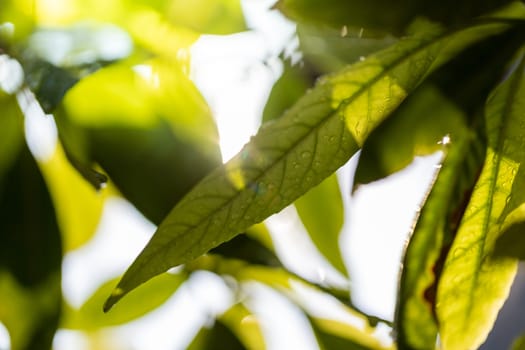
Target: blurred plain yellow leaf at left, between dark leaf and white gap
78	205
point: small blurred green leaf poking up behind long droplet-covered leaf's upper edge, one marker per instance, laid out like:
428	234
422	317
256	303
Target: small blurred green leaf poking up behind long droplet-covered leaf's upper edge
292	84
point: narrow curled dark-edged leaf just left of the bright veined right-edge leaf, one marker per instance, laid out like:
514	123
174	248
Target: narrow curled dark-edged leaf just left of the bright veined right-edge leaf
416	327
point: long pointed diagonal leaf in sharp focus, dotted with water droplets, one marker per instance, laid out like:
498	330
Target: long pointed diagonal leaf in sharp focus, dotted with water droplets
296	152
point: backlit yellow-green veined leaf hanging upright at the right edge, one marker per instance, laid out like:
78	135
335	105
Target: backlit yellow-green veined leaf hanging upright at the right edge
474	285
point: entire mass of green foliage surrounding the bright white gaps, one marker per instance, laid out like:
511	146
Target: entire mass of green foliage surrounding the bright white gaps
393	79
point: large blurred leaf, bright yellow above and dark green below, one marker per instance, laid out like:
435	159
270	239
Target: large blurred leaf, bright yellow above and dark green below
147	126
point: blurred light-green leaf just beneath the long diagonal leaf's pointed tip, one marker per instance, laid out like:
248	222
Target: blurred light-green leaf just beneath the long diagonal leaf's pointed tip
90	316
